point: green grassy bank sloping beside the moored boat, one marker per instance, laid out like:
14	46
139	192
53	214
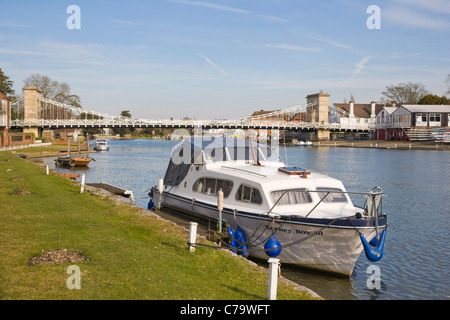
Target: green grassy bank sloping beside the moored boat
131	255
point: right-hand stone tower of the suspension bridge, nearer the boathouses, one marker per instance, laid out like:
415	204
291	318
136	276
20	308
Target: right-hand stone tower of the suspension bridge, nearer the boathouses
318	112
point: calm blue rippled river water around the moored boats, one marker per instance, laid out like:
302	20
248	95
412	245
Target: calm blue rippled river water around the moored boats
415	264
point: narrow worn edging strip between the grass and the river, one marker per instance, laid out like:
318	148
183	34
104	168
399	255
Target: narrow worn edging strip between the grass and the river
121	201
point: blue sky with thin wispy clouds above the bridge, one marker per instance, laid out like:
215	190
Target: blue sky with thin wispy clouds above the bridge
225	59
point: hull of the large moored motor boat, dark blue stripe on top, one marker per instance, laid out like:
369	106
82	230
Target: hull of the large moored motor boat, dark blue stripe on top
331	245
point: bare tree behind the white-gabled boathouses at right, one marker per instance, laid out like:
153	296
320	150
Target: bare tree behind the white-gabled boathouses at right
407	93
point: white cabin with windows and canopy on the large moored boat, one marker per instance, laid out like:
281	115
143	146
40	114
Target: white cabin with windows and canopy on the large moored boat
252	179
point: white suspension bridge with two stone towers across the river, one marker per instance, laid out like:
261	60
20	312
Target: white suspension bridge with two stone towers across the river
33	112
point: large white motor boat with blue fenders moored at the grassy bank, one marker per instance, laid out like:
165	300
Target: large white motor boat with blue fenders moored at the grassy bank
301	217
